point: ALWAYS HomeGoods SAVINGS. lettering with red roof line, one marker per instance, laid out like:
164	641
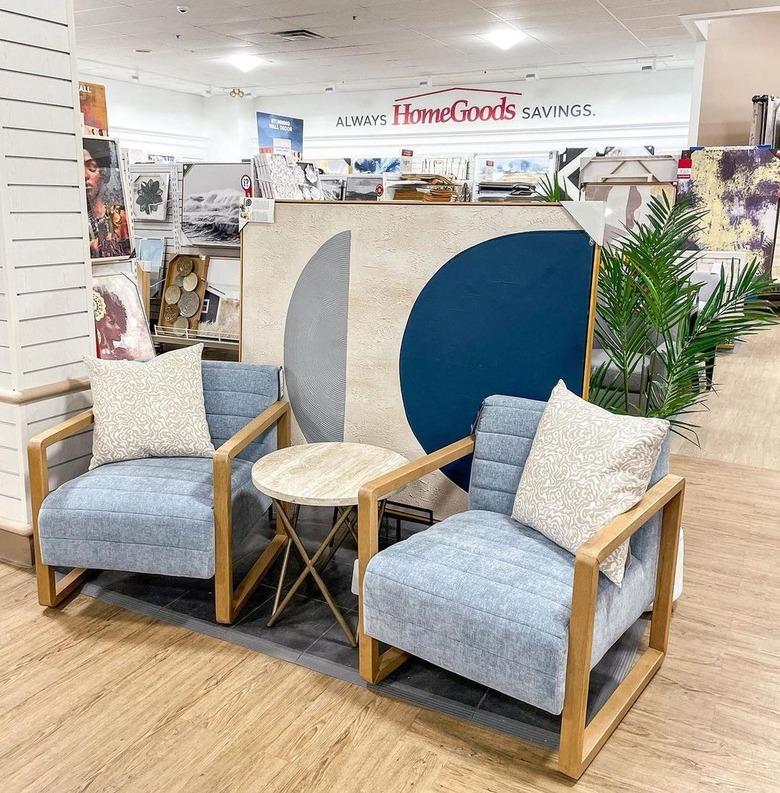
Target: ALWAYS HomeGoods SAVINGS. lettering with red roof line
464	105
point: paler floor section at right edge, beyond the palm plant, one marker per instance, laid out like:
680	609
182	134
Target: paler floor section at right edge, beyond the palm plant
742	423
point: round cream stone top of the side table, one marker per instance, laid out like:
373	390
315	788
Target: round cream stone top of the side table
322	474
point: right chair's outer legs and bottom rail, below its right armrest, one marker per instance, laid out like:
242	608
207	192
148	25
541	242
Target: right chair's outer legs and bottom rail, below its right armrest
579	744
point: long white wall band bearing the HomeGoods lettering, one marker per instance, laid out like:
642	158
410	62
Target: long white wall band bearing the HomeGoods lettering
645	106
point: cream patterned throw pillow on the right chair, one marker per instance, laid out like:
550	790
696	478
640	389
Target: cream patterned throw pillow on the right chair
586	466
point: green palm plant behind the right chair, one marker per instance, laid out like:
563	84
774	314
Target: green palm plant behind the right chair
652	321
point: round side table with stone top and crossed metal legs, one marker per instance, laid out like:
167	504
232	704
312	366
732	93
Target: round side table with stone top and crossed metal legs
319	475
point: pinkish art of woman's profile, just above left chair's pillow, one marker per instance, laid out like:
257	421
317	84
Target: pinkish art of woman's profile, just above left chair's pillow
121	326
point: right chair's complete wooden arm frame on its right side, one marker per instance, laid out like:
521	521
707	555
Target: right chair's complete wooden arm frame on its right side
579	743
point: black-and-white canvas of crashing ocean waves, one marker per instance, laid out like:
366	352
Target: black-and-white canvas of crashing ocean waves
212	194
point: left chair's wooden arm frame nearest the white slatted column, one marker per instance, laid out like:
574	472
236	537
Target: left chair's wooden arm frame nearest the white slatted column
51	592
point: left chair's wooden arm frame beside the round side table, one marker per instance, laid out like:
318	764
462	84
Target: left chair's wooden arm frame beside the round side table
229	601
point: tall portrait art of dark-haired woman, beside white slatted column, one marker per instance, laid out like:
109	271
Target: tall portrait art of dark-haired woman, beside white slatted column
110	224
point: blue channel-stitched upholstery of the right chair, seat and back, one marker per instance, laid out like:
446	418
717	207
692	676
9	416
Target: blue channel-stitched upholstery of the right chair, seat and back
489	598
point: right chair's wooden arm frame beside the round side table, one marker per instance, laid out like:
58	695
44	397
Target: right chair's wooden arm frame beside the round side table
373	665
